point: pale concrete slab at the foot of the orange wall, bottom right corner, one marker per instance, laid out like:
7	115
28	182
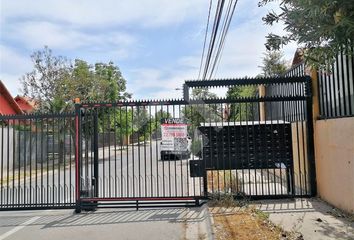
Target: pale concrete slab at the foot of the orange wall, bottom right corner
313	218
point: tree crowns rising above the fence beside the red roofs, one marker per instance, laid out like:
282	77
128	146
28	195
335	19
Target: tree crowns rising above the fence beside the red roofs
55	81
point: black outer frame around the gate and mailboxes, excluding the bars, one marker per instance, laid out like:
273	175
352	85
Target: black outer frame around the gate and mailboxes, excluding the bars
306	80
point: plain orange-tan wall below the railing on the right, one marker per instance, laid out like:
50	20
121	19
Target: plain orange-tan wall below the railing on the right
334	146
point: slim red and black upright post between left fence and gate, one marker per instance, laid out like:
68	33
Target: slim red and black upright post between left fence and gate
77	154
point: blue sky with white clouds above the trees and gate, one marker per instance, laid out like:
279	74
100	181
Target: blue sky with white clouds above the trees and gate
157	44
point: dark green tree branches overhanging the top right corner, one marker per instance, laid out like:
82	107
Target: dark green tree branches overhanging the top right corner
322	27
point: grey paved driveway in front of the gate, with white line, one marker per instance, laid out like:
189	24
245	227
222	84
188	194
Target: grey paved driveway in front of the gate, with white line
166	223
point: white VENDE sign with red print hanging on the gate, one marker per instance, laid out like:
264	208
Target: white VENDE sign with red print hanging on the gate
174	134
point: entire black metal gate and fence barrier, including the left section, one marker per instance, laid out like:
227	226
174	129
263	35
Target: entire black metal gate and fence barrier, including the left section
259	146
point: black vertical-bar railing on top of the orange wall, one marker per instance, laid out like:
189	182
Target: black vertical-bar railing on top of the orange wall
336	88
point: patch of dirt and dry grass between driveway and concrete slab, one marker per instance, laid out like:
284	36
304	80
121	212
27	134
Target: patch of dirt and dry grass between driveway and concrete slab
246	223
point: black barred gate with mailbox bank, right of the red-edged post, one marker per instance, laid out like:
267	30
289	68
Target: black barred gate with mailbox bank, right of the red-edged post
255	146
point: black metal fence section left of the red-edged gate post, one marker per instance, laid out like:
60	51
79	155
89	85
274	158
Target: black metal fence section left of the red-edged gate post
37	167
